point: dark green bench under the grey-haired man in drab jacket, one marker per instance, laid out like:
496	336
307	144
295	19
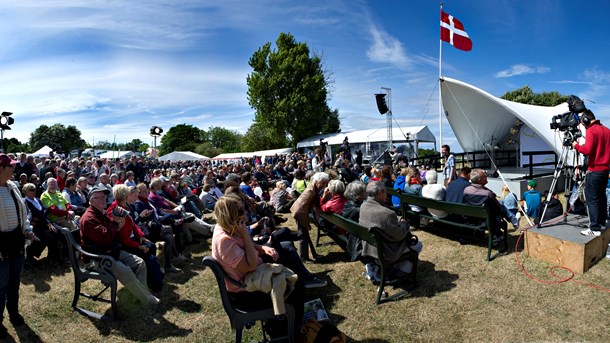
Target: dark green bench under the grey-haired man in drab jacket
373	237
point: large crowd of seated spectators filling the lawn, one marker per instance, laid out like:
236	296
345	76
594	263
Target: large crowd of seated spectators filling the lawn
154	196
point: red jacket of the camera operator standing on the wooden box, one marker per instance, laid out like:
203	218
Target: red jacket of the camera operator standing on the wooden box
597	147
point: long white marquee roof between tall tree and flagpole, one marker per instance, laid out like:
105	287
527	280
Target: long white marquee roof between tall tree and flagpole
420	134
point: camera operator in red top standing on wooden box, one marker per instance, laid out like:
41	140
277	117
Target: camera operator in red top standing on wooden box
597	149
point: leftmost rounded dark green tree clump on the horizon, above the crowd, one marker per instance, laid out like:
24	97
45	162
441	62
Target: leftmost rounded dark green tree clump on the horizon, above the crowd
56	136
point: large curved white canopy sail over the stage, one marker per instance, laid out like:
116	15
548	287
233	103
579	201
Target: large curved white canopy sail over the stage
481	121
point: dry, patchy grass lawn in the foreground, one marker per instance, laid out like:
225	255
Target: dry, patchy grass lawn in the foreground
461	298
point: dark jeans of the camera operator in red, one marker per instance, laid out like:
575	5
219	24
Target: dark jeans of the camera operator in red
595	194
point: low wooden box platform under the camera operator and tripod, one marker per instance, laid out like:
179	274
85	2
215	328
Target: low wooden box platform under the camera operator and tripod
562	244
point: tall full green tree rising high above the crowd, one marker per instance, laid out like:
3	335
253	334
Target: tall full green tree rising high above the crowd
288	89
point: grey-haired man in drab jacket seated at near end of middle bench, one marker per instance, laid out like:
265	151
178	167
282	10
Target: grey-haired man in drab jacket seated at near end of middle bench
397	237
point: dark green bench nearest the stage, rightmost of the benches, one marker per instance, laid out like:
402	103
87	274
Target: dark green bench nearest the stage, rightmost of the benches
482	214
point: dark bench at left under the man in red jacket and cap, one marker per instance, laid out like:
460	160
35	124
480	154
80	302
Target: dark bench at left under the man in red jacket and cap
99	268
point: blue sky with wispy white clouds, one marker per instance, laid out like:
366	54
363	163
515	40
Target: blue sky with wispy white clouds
115	68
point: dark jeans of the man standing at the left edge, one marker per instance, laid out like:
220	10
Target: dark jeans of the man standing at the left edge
10	278
